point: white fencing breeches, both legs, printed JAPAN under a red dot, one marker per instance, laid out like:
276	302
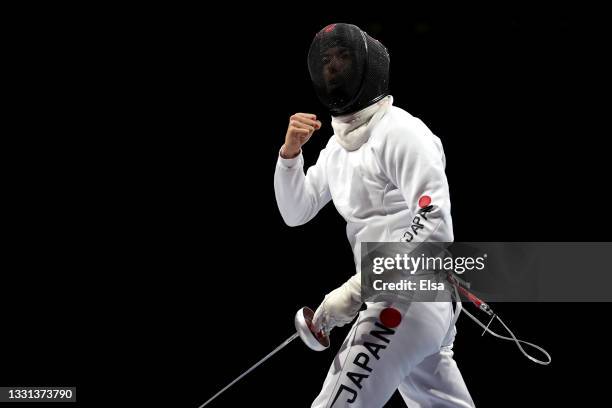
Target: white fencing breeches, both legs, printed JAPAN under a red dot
397	346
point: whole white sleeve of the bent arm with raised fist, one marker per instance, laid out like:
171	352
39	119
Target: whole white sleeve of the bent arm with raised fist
300	196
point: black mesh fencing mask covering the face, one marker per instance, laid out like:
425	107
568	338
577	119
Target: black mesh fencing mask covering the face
349	69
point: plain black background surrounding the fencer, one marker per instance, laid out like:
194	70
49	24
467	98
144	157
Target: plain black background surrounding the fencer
145	257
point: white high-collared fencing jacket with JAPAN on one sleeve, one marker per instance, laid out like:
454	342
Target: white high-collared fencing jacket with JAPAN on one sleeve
378	187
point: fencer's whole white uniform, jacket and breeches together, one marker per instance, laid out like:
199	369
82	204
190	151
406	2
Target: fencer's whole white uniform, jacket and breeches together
381	166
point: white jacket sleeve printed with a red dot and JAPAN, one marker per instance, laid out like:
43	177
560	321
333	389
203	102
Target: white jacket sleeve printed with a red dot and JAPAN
413	159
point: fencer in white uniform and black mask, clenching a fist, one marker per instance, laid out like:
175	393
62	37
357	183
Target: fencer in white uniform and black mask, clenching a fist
380	166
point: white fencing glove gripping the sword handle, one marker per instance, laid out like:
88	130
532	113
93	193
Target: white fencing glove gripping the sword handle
339	307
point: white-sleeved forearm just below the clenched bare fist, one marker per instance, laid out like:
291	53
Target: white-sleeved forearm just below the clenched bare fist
296	199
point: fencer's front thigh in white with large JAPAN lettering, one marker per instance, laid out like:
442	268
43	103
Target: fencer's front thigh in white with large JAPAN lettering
374	359
